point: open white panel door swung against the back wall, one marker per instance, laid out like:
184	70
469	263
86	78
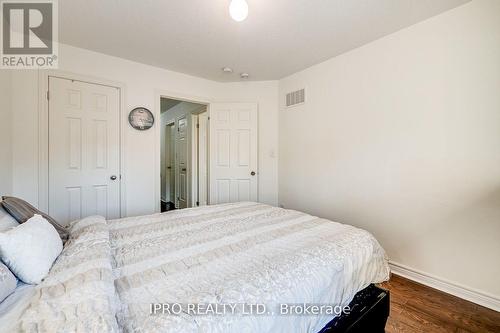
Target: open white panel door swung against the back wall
233	152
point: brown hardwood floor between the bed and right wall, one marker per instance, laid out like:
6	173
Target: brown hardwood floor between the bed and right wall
418	308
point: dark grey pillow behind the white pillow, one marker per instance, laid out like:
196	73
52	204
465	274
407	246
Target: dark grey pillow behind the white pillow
22	211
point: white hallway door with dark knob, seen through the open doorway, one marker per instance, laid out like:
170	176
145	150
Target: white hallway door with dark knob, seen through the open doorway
182	162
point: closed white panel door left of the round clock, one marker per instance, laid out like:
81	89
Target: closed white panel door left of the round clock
84	150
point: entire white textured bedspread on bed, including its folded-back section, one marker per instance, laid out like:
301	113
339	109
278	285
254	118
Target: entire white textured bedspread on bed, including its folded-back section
113	275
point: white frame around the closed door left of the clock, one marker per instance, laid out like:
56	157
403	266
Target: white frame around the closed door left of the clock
43	132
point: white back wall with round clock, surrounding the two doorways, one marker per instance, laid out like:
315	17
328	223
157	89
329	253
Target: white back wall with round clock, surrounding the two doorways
142	83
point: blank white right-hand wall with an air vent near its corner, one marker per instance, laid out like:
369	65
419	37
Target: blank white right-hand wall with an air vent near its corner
402	137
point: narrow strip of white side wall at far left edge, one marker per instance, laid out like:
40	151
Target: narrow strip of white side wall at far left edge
5	133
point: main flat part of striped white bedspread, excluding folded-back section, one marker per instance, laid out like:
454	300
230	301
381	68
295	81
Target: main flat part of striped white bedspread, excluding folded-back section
237	253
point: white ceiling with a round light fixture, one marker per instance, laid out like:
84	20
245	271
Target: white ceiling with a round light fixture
198	37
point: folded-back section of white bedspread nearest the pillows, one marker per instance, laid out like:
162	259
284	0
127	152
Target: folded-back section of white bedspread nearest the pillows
78	295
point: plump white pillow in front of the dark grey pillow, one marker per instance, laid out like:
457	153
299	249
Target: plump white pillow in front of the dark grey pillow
30	249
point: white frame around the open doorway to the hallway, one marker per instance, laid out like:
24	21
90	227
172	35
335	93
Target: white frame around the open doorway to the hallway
157	113
